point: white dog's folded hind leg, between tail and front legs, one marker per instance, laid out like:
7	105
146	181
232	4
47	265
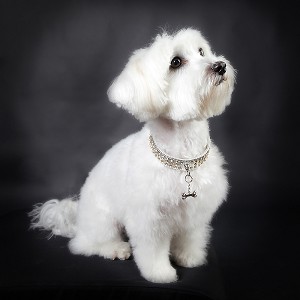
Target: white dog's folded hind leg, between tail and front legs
98	233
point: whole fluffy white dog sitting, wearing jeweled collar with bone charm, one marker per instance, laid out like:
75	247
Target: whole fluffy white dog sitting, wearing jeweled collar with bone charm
163	184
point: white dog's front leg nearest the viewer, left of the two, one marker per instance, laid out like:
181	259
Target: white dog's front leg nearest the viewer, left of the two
151	254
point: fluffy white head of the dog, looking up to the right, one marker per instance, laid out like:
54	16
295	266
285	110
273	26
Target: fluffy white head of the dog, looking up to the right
176	77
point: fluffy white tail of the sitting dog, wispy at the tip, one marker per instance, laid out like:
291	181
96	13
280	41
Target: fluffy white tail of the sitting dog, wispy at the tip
59	217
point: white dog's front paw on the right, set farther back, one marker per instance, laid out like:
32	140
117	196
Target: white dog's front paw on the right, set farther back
190	259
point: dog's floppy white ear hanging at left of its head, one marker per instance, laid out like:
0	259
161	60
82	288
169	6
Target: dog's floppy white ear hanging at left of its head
140	88
